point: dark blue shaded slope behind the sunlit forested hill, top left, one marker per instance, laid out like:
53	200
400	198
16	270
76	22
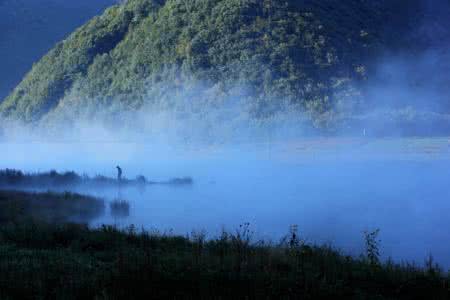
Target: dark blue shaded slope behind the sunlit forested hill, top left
30	28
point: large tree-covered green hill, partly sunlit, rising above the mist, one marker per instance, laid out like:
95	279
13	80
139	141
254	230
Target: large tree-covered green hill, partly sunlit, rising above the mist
313	55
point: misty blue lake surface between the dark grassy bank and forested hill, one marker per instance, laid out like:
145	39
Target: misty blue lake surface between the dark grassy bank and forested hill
333	189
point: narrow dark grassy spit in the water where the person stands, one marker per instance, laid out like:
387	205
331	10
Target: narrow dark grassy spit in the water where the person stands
16	178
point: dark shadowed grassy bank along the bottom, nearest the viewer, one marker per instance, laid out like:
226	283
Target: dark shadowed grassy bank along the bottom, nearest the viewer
42	260
